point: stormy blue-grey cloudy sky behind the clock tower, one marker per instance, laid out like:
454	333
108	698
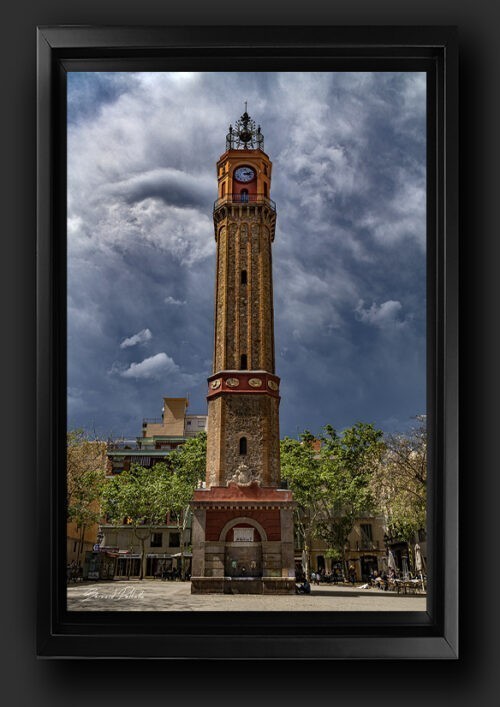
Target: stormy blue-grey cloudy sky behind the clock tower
348	153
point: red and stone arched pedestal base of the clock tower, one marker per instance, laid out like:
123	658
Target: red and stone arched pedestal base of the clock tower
243	541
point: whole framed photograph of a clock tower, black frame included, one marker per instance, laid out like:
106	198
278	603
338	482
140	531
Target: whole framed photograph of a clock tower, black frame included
255	230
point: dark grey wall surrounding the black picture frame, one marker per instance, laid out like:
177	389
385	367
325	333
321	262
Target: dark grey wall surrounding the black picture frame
118	682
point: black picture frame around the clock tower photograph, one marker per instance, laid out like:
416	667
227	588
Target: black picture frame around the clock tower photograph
421	635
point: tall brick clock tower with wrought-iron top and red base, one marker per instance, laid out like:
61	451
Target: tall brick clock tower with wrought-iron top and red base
243	520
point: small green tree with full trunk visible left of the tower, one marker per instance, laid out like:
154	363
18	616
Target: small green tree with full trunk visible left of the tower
142	497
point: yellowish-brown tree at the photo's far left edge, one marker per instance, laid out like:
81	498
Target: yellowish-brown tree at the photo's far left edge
85	471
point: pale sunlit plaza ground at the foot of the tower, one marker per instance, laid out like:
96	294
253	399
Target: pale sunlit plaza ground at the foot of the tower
155	595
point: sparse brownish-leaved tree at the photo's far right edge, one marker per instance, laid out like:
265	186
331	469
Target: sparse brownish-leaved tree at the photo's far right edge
399	483
